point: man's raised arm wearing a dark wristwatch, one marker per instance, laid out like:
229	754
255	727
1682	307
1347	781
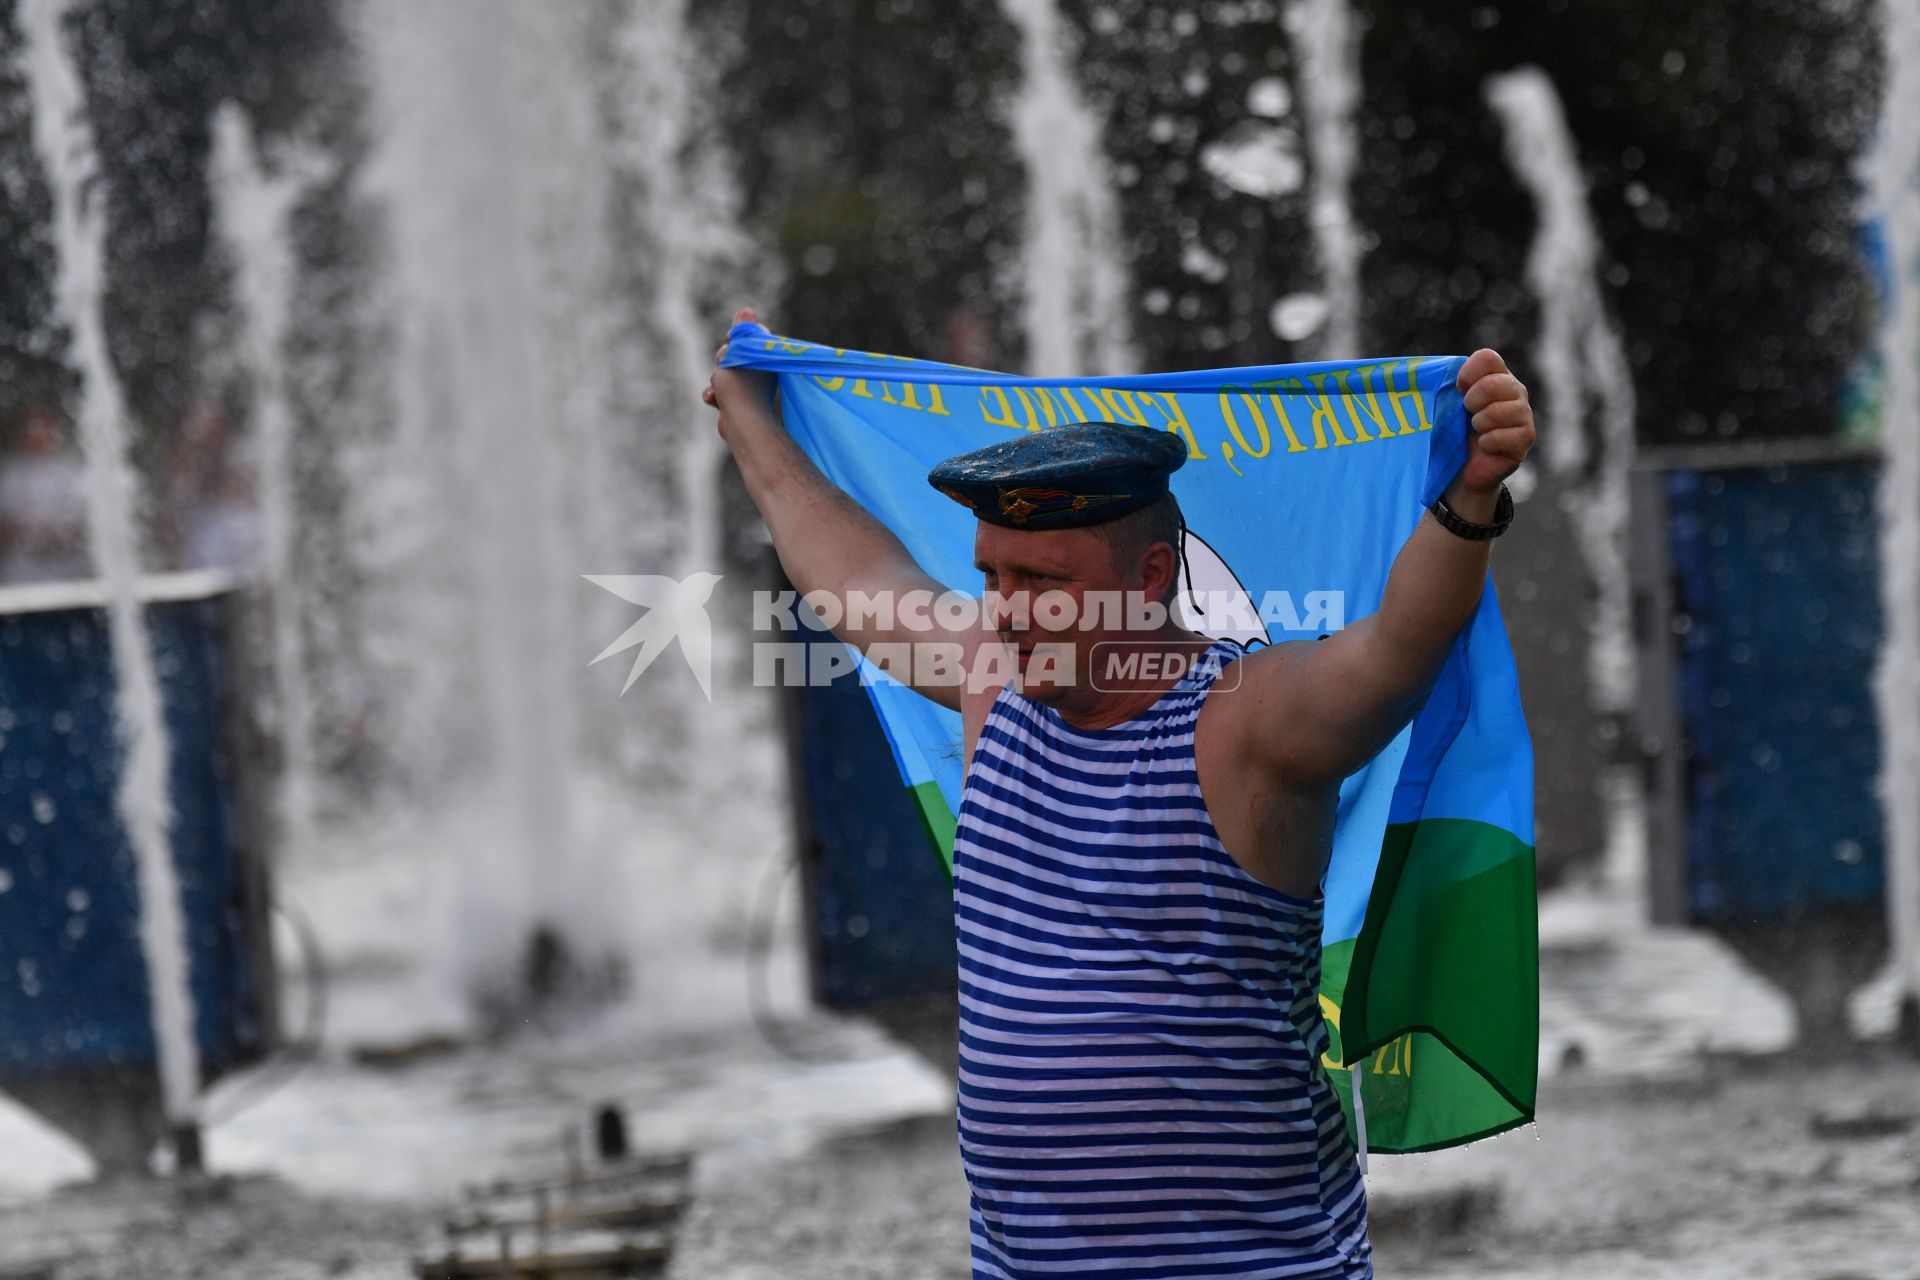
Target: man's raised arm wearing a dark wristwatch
1322	711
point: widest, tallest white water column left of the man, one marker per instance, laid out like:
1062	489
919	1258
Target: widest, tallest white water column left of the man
485	168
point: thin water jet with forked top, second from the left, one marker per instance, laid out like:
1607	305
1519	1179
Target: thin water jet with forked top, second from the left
252	210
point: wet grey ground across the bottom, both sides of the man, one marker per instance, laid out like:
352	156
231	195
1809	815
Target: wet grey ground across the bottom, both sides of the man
848	1168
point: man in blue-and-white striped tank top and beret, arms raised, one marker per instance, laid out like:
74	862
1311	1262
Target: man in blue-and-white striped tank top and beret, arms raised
1140	847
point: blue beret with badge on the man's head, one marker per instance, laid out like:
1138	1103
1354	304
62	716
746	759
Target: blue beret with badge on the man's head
1067	477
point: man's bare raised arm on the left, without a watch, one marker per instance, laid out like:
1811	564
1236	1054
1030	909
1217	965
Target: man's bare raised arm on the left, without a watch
828	542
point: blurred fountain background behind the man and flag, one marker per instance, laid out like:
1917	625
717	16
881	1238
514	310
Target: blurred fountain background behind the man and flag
356	924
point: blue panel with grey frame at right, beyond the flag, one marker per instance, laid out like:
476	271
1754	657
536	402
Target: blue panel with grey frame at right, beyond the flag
1760	623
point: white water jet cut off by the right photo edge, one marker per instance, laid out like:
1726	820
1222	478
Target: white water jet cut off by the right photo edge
1896	201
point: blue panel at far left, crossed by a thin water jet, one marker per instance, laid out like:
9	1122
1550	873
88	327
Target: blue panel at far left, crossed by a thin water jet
76	1018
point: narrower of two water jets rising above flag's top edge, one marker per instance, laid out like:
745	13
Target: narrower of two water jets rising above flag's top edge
1330	91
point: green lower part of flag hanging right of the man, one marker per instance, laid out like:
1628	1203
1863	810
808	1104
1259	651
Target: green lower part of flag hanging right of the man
1439	997
